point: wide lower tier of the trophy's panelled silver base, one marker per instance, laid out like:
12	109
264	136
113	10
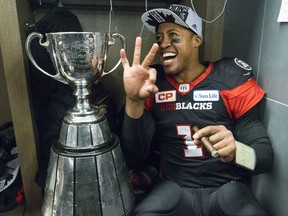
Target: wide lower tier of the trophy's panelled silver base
88	183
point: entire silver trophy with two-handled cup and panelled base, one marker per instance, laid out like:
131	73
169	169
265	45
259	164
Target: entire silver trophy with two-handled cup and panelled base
87	173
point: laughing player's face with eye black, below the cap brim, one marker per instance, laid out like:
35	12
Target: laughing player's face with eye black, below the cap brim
176	47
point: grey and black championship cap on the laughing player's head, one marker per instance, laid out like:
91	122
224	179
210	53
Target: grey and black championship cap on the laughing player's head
175	13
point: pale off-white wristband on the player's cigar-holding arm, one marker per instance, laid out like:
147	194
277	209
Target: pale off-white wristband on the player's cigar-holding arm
245	156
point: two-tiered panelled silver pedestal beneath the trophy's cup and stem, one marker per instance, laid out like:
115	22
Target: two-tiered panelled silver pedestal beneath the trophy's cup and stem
87	173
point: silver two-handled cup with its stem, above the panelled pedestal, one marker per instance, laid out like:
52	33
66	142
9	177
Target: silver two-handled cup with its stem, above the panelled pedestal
79	59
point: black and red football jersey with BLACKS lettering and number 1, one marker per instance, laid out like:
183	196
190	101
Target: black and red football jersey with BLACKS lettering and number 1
222	94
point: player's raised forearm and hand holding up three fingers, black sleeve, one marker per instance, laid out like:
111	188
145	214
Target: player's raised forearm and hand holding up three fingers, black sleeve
139	84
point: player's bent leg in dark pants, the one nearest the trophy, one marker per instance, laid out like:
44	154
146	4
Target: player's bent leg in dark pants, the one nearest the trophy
165	199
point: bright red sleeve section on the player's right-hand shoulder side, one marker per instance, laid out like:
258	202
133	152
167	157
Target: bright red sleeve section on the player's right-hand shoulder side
242	98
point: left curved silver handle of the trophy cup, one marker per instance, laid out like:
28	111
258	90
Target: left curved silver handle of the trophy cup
29	39
